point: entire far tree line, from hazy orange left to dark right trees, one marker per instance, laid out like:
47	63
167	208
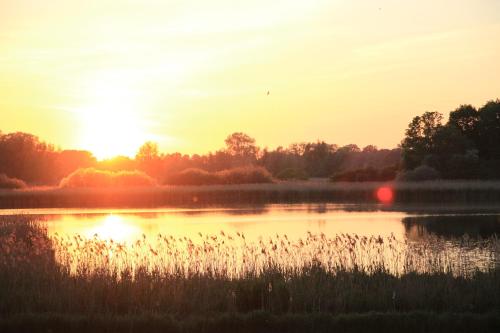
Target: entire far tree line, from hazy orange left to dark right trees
467	146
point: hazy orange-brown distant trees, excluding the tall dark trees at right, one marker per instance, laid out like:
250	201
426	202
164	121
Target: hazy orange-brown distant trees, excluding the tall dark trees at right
24	156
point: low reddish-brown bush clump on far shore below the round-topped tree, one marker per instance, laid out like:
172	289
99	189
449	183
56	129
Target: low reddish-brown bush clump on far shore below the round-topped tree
243	175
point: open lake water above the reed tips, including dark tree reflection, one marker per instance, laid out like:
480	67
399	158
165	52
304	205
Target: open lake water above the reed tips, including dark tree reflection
266	221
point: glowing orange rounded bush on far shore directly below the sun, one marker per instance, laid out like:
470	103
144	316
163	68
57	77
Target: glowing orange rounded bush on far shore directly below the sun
91	177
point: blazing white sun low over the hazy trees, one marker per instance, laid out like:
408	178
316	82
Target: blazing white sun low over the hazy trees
111	123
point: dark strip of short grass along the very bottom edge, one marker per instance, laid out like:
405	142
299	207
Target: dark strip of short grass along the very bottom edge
261	322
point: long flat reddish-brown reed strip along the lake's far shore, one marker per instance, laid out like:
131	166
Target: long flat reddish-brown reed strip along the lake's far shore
435	192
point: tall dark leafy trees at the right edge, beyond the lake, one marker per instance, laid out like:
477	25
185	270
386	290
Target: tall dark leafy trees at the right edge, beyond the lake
467	146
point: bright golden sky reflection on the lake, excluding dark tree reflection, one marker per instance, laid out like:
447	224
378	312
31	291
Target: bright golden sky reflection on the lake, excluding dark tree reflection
294	221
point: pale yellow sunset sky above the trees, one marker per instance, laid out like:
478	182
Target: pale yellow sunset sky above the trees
107	75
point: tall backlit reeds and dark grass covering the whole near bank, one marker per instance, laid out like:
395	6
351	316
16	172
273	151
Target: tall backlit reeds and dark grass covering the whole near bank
219	282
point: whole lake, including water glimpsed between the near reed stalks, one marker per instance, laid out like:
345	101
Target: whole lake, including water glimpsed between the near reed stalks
443	234
